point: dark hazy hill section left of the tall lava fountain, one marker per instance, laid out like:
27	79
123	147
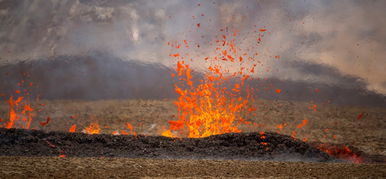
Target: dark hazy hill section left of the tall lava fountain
98	76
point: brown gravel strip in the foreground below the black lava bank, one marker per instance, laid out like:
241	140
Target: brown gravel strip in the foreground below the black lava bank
85	167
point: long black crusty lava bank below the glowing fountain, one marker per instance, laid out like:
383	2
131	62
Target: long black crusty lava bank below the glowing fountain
249	146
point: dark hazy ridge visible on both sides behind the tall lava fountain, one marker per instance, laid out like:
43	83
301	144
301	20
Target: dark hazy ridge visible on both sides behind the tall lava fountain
105	76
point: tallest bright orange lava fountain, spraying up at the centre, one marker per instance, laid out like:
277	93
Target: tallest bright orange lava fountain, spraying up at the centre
214	104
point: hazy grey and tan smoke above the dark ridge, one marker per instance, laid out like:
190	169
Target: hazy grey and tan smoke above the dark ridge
318	41
